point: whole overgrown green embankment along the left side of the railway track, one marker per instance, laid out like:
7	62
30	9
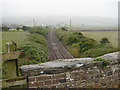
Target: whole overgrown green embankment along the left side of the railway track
36	47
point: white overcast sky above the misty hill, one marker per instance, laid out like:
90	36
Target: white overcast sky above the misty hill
101	8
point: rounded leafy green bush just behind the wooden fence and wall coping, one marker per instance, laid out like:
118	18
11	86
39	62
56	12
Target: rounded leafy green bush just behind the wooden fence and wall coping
35	51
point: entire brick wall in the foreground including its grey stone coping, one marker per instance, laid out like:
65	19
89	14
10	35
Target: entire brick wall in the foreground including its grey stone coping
74	73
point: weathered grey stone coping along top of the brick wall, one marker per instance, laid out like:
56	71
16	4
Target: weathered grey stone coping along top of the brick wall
64	65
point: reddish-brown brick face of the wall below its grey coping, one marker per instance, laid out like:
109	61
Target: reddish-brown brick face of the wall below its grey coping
82	78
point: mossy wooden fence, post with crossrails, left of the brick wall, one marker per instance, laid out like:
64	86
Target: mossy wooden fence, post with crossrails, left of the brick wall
10	73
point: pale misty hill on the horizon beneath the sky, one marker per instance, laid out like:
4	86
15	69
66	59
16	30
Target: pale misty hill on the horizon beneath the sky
76	20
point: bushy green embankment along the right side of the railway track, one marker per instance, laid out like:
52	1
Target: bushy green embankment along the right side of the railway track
81	46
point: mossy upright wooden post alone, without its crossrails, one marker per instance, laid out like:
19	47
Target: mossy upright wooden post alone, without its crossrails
10	65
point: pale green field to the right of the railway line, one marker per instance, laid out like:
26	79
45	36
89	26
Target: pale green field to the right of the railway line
111	35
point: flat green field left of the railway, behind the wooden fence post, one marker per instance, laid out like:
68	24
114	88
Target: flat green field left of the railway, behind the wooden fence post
19	37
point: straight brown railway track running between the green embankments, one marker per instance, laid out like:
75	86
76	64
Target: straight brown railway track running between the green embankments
56	49
